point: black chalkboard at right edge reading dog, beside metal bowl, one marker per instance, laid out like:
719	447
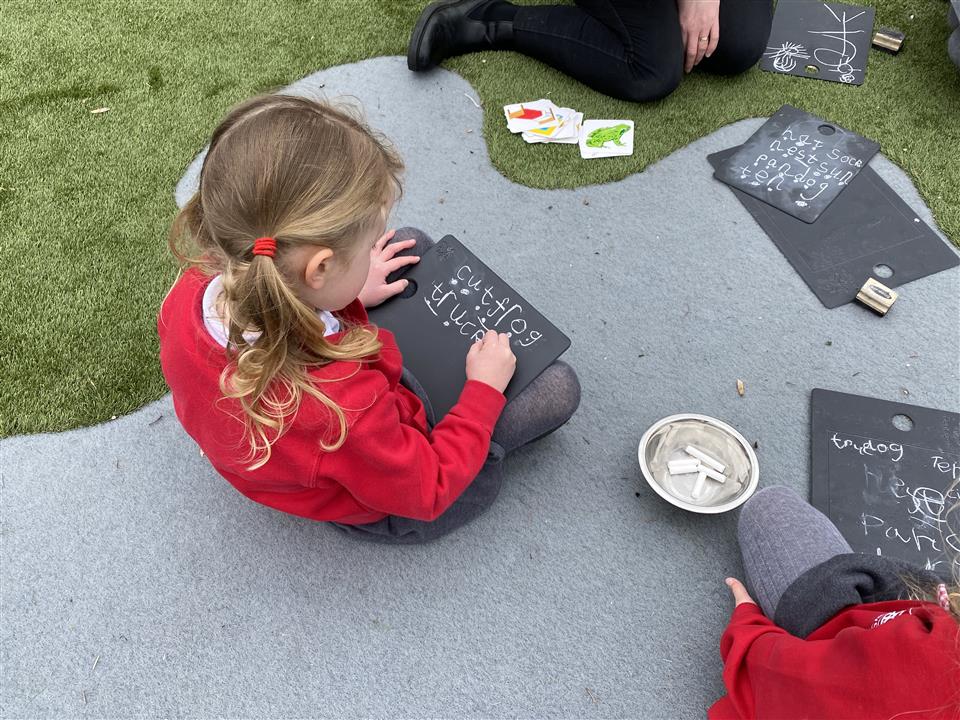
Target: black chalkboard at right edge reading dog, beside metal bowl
888	490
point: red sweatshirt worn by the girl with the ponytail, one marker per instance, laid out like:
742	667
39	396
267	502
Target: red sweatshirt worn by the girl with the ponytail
390	463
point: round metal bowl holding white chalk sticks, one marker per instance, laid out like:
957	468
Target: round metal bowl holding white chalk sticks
666	440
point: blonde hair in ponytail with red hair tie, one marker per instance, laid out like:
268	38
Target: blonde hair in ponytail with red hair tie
304	173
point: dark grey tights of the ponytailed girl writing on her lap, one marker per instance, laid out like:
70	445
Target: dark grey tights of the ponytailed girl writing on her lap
539	409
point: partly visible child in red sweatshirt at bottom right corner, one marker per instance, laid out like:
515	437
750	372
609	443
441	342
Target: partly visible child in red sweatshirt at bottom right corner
833	635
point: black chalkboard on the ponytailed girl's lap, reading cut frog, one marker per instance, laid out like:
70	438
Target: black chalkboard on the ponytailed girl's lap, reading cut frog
453	299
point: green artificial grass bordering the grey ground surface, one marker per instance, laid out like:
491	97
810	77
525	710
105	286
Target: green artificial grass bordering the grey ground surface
85	199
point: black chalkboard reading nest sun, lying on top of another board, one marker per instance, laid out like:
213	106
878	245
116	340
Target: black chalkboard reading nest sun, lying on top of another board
797	162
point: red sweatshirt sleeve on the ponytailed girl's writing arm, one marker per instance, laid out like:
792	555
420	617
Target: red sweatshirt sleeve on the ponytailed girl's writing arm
397	469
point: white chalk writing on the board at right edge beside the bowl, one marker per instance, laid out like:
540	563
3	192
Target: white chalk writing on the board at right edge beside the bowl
899	509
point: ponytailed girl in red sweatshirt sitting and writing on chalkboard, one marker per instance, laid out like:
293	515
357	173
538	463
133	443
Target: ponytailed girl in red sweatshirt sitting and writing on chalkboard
274	369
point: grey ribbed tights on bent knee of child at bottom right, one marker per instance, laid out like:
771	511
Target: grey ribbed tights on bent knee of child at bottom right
781	537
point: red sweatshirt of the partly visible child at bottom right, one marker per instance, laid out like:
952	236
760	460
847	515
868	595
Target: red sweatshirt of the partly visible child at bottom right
880	660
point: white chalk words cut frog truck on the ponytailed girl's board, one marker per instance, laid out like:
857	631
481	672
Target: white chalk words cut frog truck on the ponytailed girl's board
465	304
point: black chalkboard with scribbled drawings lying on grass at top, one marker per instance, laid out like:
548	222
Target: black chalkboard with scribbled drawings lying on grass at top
827	41
